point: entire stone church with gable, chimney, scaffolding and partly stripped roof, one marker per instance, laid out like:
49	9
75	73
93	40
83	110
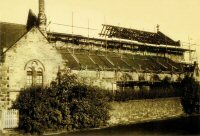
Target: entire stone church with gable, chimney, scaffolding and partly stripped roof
121	58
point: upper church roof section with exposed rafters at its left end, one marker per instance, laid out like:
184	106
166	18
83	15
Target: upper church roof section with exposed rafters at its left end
137	35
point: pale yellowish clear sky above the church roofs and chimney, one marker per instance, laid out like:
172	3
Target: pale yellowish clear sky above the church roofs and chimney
178	19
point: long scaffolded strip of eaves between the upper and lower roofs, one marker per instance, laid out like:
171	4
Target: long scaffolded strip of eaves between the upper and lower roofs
110	43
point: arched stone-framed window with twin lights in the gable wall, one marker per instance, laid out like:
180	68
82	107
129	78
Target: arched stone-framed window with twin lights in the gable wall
34	73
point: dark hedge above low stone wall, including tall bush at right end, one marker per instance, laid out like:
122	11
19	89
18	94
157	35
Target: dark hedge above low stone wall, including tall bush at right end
188	89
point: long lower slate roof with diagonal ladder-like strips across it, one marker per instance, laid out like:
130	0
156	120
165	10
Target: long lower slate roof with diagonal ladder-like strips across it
77	59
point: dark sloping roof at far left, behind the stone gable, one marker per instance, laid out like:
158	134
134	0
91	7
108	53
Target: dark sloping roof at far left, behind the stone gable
10	33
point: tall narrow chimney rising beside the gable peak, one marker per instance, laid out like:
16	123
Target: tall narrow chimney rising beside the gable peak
42	17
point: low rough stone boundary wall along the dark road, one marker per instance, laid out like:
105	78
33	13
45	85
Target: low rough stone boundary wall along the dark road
144	110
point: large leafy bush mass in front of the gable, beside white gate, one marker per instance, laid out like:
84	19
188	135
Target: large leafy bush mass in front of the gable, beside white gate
66	104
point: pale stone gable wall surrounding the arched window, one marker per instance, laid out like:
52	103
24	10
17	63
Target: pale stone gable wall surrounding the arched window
32	49
